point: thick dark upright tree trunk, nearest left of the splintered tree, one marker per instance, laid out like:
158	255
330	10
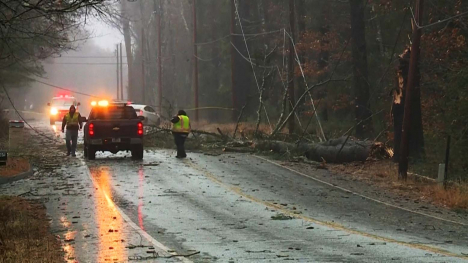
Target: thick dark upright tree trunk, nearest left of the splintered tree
360	69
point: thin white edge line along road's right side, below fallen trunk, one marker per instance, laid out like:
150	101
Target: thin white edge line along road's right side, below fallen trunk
360	195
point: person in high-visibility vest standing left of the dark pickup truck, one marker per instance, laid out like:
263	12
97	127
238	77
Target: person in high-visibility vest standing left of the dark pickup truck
73	123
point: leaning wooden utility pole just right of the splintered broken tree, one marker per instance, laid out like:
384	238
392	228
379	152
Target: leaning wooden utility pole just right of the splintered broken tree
412	75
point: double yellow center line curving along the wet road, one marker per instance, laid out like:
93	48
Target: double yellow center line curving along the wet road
333	225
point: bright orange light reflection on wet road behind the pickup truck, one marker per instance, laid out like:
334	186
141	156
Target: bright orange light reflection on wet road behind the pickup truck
110	224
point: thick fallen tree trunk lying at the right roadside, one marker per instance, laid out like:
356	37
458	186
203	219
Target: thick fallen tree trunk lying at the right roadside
339	150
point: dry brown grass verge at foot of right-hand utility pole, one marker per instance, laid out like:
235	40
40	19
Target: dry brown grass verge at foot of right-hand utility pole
384	174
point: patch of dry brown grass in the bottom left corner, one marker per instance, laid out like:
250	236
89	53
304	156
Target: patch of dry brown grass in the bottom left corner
24	233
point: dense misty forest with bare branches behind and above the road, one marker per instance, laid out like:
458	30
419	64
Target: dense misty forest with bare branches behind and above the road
312	69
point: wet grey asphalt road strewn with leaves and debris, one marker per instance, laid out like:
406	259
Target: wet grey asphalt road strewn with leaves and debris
229	208
